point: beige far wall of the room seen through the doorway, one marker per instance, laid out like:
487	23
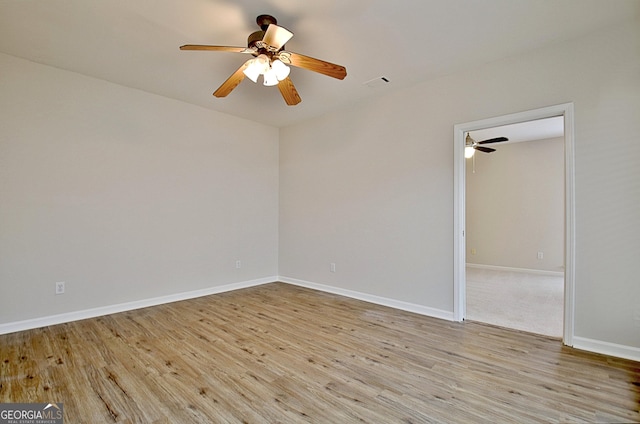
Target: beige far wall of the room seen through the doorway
515	206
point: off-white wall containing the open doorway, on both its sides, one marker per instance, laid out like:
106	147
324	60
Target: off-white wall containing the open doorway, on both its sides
370	188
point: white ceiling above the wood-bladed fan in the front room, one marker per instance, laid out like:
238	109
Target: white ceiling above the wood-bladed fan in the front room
135	43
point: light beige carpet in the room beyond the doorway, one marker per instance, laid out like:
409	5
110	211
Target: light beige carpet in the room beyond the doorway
519	300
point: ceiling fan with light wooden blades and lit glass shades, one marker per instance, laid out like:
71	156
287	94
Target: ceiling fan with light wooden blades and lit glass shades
270	60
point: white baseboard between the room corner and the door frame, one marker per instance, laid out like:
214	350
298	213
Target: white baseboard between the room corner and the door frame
378	300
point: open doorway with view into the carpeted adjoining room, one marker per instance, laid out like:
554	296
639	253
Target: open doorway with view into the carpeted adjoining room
514	196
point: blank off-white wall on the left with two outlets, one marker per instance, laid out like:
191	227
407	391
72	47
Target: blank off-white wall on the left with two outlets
124	195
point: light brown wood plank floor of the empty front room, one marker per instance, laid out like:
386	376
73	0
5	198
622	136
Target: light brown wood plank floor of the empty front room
280	353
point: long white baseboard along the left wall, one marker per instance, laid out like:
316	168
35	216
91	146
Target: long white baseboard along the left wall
12	327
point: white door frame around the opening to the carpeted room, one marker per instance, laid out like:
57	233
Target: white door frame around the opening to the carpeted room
459	261
